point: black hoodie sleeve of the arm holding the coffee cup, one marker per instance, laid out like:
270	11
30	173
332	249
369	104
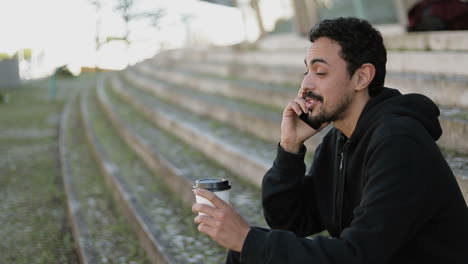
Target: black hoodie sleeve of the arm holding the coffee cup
396	202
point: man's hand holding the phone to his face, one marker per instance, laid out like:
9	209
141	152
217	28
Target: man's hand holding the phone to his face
294	132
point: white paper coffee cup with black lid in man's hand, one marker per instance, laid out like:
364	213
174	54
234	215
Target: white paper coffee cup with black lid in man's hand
220	187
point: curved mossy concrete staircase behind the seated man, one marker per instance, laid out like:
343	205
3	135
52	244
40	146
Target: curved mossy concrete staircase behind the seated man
183	115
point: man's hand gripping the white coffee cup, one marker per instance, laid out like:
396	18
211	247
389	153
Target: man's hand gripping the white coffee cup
222	223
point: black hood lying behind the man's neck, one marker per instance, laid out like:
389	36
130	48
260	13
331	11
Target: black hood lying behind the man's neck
392	102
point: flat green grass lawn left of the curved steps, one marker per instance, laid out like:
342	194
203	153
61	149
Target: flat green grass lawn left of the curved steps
35	227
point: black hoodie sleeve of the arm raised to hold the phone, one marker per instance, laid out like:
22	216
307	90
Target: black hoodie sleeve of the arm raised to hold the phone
287	196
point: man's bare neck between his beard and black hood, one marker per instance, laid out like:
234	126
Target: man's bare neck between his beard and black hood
347	124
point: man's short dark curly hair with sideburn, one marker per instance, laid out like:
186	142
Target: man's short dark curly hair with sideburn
360	43
